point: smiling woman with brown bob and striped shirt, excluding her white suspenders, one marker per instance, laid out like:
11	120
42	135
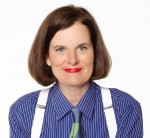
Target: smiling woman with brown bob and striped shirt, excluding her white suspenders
69	52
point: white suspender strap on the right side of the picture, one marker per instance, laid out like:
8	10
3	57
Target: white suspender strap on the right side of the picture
109	112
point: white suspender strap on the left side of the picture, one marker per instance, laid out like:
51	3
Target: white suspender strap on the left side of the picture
39	113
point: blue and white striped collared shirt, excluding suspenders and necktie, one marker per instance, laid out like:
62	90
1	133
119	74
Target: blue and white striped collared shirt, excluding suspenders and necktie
58	117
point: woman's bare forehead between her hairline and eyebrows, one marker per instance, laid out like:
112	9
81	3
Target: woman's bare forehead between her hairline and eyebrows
73	35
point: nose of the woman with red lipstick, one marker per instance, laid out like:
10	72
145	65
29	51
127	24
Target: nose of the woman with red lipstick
72	58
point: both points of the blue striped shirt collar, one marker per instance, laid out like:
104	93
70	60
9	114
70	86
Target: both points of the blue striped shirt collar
86	104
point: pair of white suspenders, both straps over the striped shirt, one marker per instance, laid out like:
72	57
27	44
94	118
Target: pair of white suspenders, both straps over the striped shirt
41	104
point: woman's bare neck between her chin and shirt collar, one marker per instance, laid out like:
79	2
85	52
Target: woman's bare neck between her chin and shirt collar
73	93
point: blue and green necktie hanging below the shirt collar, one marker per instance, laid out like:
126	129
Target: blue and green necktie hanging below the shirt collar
77	131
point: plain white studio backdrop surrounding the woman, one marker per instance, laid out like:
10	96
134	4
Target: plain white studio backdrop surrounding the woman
125	26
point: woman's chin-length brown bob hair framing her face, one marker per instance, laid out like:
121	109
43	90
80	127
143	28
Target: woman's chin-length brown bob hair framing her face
61	18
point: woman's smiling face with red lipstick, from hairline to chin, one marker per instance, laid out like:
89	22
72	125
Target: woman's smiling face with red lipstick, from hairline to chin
71	56
